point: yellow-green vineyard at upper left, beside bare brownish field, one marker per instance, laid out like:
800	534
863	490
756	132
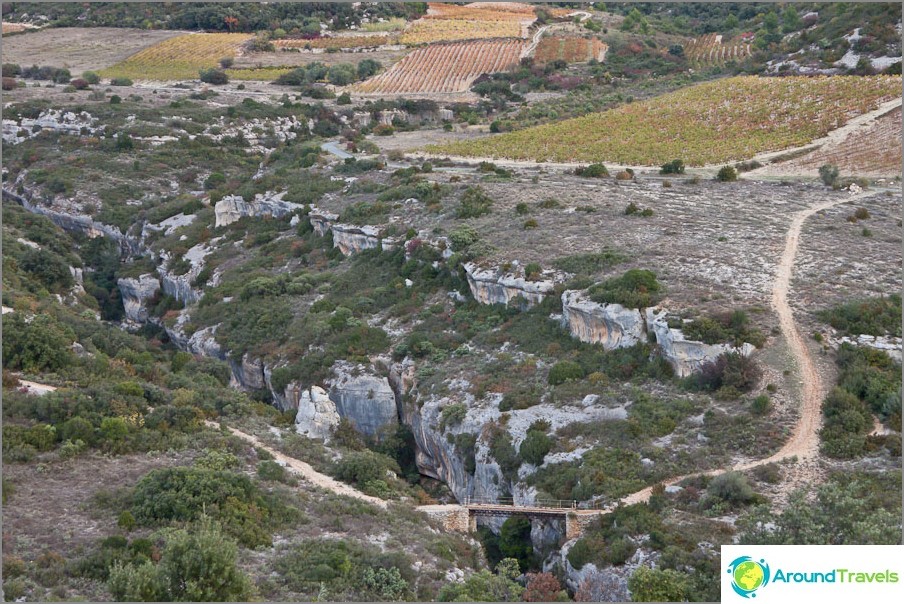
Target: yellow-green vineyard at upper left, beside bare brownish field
178	58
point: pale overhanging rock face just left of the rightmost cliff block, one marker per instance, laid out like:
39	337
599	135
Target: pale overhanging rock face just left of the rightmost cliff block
611	325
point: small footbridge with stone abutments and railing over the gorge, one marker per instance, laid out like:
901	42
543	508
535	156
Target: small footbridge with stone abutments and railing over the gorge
462	517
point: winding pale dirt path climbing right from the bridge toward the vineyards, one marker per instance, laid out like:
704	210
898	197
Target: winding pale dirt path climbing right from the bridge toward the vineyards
804	441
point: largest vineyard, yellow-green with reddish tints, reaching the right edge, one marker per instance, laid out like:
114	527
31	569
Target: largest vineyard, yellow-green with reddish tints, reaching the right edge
726	120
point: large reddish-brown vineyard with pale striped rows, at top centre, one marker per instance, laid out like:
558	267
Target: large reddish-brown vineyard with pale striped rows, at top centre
445	68
